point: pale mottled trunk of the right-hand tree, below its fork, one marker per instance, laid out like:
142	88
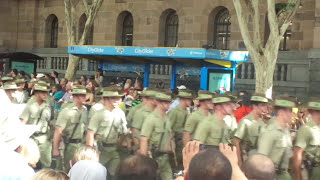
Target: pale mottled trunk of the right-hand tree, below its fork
264	67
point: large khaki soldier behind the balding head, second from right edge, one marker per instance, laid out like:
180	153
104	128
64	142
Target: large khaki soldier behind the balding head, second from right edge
275	141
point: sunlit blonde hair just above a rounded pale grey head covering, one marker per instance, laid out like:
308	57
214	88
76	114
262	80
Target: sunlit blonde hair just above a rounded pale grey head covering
85	153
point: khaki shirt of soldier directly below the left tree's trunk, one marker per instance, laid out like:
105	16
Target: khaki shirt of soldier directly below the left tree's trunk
68	119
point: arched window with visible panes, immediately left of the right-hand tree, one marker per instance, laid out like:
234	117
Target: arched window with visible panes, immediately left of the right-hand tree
222	29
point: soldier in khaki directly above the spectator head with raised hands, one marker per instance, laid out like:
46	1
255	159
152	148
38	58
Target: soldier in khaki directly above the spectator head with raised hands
213	130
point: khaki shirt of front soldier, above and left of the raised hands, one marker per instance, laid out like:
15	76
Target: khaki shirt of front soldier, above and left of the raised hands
154	128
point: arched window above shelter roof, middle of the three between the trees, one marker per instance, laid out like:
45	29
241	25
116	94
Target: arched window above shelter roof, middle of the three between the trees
171	29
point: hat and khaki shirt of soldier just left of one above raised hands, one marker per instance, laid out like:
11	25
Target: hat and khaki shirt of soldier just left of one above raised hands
197	116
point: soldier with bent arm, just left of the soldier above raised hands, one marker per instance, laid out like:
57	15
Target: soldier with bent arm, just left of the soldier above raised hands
205	100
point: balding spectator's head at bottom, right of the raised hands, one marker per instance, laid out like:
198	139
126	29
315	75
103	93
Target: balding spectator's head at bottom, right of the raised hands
260	167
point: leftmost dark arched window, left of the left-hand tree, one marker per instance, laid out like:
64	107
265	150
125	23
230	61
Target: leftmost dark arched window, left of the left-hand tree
52	27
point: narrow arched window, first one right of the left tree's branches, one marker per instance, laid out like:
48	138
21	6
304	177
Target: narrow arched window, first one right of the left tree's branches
127	30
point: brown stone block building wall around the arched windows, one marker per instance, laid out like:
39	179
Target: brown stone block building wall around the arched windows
25	22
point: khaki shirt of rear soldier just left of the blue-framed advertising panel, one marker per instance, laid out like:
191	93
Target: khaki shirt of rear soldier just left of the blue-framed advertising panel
178	117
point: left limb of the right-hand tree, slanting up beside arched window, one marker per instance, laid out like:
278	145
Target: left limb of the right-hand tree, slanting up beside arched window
243	24
